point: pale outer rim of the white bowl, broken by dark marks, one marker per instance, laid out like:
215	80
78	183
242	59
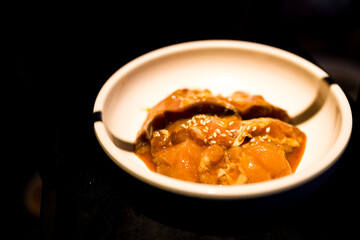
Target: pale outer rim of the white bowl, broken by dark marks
217	191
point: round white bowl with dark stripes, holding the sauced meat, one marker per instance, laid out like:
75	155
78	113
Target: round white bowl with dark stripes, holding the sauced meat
223	66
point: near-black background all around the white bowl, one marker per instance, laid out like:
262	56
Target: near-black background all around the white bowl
60	56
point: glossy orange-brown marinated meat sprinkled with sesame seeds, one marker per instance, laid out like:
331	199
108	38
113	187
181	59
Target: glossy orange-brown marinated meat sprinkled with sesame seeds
198	137
